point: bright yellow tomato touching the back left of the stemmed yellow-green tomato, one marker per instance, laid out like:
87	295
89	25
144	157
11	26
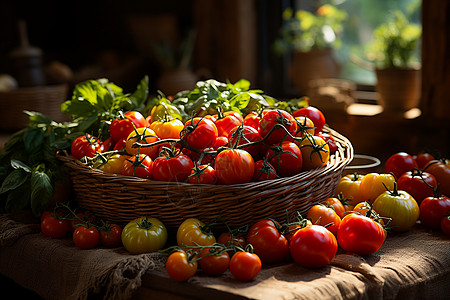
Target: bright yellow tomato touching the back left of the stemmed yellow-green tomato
374	184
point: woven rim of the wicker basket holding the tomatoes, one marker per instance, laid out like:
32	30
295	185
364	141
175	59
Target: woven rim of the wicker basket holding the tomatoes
344	155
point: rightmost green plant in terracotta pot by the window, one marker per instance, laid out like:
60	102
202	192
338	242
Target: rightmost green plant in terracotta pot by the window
393	53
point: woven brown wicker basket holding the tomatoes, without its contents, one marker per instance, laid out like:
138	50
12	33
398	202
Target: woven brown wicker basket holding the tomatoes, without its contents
118	198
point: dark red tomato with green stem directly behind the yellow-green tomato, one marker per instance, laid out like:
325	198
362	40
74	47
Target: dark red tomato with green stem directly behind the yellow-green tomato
418	184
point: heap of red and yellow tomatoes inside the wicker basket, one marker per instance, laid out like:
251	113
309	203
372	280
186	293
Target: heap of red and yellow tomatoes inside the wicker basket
226	148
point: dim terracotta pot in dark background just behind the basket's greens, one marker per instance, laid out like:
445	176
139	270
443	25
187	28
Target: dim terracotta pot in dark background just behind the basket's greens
173	81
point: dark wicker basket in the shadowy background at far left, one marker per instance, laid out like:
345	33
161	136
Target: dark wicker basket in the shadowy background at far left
44	99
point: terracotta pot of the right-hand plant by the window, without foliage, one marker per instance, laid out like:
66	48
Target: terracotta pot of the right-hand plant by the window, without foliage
398	90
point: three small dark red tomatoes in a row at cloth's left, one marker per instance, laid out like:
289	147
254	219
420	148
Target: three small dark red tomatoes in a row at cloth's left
87	232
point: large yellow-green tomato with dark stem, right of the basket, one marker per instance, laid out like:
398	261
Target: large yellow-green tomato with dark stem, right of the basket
398	205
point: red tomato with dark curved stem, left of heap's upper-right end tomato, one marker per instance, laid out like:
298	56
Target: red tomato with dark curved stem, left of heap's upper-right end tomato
279	118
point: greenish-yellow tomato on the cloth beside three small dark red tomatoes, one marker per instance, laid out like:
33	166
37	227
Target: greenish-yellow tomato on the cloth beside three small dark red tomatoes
144	235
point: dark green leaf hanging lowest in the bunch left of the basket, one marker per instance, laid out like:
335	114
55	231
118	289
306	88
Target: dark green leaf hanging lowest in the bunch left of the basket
41	191
